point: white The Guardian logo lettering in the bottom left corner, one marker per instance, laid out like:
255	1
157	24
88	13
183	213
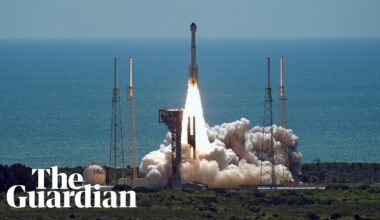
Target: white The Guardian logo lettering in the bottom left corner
71	190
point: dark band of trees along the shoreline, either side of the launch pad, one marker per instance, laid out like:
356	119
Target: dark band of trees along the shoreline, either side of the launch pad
313	173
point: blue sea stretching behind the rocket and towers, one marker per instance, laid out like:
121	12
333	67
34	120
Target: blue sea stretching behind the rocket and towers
55	95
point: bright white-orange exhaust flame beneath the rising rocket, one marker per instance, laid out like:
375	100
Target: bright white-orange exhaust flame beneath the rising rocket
193	108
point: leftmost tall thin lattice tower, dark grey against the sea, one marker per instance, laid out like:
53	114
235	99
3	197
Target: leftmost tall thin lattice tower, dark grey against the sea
117	156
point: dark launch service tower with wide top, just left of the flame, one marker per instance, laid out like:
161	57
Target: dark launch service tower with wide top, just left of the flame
173	119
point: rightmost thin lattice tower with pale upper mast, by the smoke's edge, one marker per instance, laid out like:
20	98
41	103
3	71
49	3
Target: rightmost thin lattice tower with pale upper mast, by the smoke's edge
282	120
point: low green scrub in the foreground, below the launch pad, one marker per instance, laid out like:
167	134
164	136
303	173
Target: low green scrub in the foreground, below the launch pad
332	203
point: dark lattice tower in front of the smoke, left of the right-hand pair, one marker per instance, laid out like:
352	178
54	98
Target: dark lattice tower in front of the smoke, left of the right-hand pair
268	122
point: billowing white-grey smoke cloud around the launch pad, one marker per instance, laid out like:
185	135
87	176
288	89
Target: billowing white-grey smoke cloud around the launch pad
237	155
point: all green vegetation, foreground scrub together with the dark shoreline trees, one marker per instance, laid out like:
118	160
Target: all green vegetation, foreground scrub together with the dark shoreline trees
351	197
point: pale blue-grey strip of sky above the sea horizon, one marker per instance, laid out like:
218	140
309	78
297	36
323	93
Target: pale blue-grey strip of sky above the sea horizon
171	18
